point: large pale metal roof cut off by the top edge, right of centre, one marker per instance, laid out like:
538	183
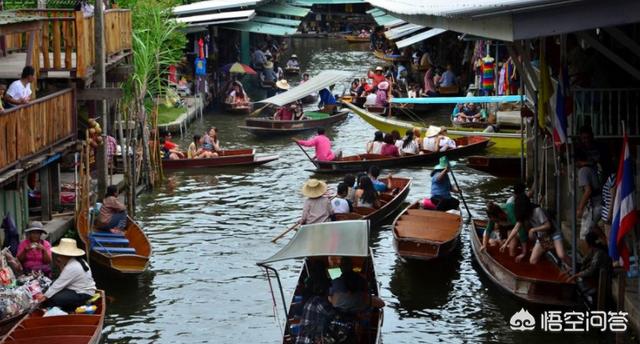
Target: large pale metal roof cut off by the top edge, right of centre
464	8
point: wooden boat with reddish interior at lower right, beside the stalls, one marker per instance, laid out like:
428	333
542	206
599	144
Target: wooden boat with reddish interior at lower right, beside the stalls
542	283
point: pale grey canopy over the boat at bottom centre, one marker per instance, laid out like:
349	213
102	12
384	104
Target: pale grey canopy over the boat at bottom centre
340	238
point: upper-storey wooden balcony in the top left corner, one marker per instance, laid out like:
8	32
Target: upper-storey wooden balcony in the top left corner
65	45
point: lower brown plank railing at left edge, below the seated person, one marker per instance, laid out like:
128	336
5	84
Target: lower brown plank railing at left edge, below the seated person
30	129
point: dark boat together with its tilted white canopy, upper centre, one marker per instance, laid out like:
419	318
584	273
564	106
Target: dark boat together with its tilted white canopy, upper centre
267	126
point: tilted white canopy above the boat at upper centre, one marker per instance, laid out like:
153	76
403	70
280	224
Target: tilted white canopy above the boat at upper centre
315	84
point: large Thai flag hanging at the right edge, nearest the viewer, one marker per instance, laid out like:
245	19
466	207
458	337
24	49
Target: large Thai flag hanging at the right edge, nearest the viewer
624	207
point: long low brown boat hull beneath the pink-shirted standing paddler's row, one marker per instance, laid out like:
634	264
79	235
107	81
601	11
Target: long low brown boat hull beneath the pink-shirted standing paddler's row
362	162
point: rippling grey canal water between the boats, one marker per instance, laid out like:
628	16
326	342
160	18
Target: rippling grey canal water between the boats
209	228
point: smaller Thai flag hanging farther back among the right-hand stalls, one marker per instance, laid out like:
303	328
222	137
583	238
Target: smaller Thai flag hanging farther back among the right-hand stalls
563	106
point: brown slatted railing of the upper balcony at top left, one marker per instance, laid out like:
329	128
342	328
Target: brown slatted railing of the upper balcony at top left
67	40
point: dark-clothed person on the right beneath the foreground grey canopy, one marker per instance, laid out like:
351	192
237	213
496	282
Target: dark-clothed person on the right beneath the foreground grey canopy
349	293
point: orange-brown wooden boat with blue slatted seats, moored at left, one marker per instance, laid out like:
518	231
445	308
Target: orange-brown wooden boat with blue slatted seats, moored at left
123	254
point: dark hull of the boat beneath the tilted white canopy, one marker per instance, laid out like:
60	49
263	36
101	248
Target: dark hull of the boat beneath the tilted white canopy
271	127
